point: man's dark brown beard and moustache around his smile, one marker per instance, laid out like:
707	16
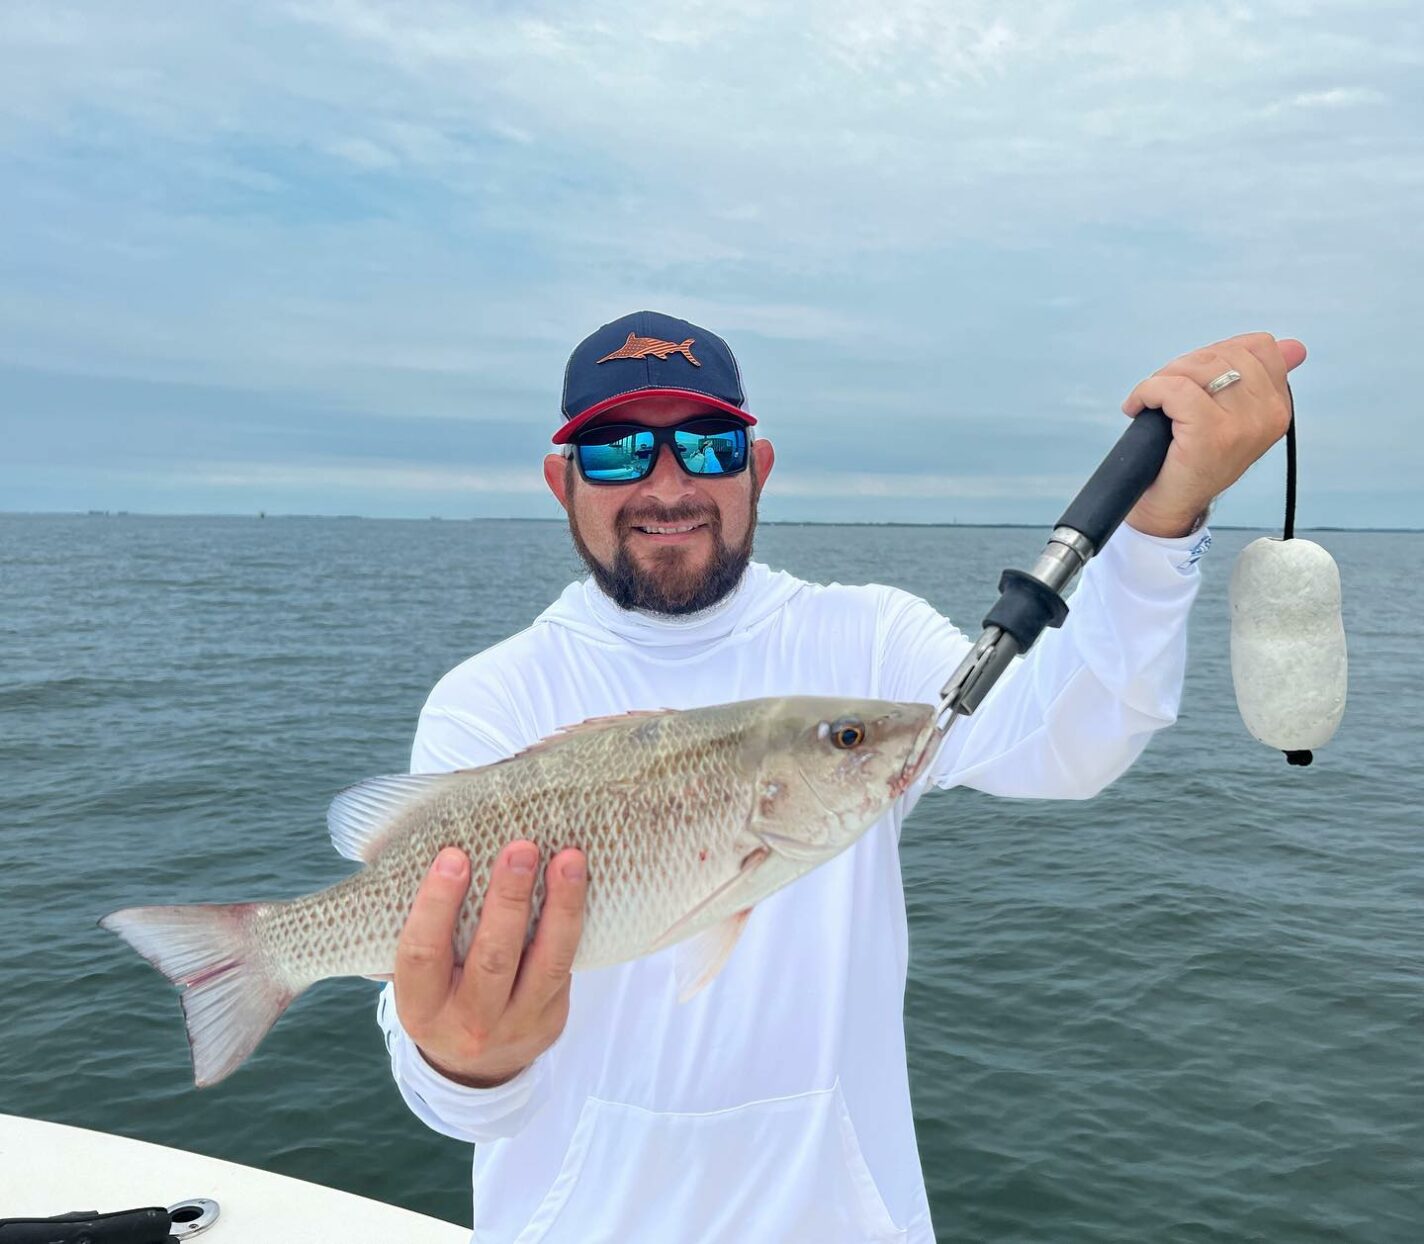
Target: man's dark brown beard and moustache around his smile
670	583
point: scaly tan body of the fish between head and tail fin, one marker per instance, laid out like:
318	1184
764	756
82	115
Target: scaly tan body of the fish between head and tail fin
644	832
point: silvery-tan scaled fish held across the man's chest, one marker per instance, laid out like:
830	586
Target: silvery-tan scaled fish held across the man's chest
689	819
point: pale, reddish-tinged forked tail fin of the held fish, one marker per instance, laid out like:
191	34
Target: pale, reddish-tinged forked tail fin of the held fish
233	994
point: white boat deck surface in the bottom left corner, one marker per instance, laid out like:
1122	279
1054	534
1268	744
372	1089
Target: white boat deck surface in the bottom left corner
52	1169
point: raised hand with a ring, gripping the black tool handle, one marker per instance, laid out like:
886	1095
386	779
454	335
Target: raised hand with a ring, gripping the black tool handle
1214	438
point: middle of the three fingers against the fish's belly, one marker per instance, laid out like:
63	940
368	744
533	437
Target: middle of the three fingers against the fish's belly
499	940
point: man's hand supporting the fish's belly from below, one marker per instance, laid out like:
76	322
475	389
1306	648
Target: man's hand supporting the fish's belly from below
481	1024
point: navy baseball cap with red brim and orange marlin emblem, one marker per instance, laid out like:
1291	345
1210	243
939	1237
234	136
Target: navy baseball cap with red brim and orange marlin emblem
649	355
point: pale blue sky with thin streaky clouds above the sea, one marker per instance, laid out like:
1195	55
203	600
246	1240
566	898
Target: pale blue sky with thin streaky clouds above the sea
331	258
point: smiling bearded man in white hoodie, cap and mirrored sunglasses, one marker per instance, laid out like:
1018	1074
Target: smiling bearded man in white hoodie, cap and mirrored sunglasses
775	1105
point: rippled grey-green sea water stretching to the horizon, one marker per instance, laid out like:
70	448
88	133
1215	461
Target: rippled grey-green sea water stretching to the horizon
1191	1010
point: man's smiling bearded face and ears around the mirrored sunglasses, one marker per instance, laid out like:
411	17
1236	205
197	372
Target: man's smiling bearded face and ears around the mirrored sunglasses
620	529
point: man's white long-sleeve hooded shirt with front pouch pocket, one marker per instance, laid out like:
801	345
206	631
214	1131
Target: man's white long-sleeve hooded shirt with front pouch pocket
775	1105
